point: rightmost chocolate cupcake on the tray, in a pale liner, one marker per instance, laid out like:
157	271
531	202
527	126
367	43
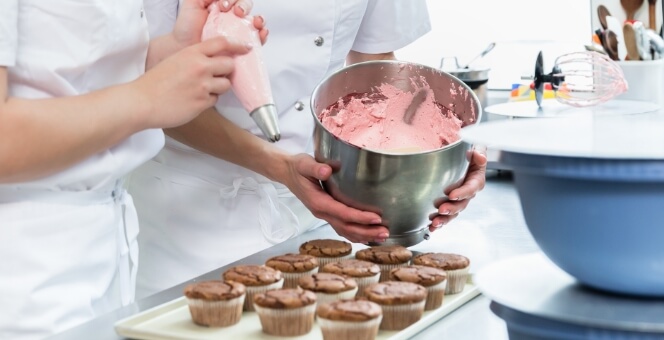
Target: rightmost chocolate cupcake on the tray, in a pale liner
455	266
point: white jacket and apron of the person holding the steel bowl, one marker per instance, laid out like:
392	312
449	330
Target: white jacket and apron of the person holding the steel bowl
215	212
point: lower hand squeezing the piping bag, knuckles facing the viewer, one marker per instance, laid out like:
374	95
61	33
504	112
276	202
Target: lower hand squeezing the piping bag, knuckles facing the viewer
177	89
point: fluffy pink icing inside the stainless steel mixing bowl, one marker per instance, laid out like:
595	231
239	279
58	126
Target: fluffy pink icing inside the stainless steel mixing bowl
375	121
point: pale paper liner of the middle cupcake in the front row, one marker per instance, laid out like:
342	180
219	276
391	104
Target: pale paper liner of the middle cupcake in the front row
286	322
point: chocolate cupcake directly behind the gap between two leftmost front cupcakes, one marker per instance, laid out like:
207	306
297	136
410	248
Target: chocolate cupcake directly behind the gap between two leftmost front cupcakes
257	279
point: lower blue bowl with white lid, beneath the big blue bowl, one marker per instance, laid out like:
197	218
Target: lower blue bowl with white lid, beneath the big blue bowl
537	299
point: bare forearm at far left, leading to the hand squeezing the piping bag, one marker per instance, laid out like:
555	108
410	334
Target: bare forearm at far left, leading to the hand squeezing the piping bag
40	137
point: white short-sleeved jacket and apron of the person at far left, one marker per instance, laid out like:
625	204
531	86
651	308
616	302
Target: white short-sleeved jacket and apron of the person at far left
68	244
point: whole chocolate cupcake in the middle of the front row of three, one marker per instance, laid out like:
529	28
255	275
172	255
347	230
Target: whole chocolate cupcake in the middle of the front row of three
286	312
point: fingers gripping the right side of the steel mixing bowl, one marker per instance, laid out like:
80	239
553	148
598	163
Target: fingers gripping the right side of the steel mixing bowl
461	196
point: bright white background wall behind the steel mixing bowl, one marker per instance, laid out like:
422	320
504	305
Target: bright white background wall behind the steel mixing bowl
520	28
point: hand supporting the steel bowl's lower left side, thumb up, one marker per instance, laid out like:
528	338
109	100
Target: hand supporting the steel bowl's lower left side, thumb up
303	177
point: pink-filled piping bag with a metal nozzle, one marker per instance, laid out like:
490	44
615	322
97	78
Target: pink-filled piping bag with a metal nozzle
249	81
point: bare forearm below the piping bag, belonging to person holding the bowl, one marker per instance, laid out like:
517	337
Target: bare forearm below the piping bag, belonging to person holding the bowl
215	135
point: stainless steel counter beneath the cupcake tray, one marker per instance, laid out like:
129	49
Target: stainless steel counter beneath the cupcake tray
491	228
